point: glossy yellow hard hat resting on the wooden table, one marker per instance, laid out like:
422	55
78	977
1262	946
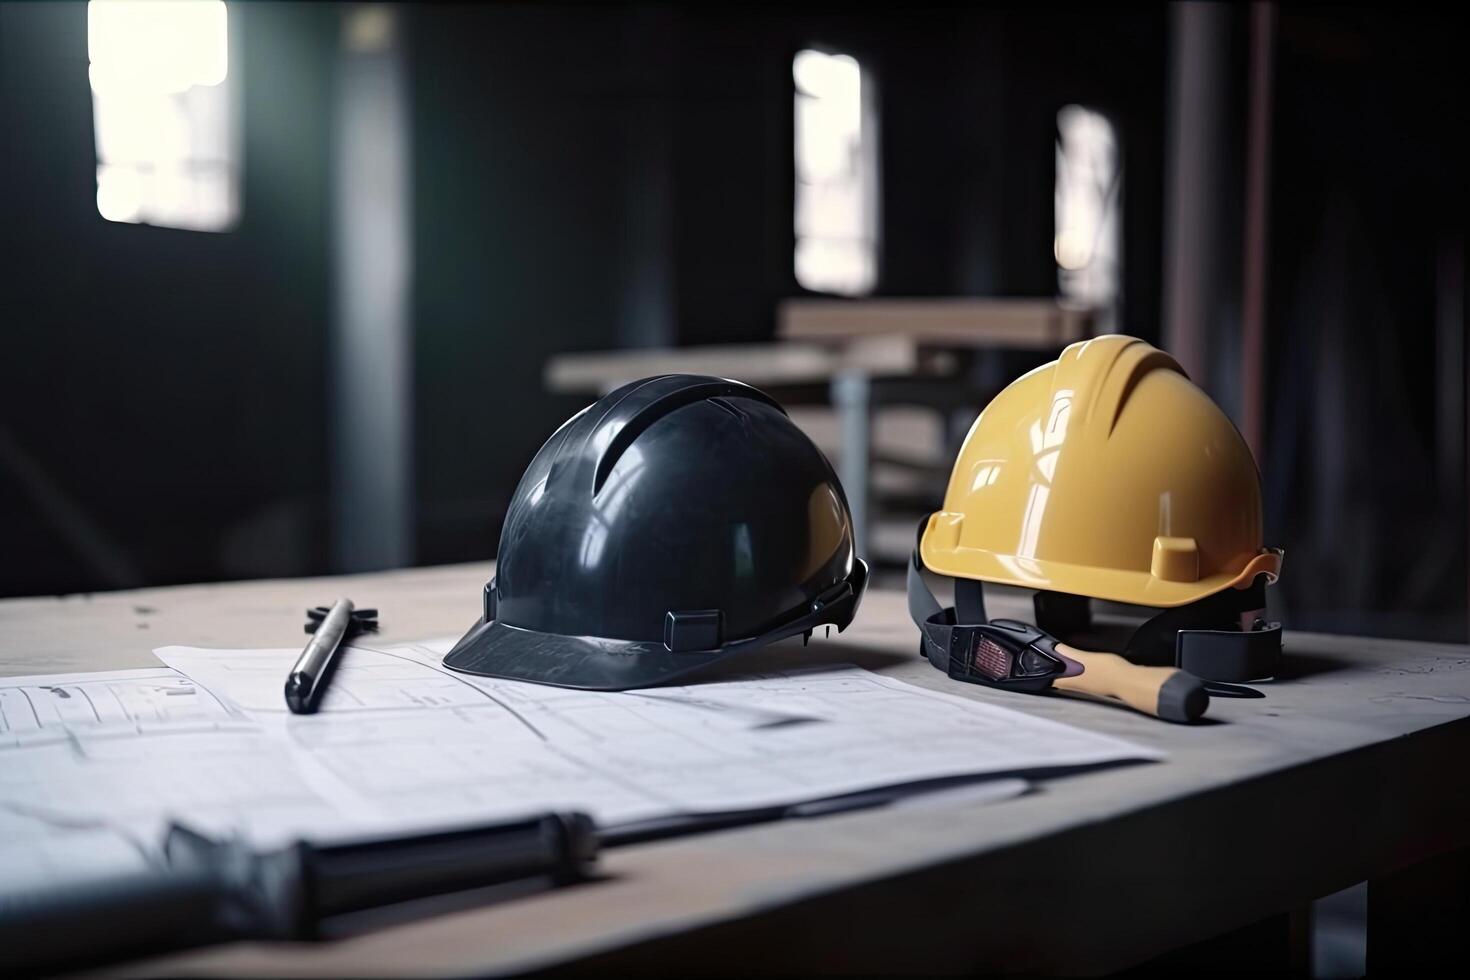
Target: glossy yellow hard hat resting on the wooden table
1108	475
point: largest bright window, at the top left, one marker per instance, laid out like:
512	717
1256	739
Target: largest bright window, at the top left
162	112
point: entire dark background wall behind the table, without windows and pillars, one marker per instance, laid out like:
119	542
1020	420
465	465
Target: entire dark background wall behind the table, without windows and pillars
589	177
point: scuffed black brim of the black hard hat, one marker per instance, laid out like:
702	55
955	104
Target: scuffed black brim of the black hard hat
584	663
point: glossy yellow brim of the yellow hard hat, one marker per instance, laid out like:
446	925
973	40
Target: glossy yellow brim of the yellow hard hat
1137	588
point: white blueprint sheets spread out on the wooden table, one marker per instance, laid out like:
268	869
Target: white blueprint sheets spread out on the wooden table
101	763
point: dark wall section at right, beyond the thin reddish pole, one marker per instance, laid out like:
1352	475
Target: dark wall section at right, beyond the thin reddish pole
1368	400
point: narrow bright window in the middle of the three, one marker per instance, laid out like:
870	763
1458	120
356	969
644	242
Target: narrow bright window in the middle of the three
837	176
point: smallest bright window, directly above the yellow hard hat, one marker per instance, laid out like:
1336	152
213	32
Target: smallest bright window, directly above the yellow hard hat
1090	212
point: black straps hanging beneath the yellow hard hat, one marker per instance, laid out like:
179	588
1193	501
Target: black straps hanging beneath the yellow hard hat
1222	637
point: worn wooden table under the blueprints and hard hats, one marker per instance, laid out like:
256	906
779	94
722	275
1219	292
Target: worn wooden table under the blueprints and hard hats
1353	771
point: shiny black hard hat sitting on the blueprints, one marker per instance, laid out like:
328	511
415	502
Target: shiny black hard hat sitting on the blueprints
675	522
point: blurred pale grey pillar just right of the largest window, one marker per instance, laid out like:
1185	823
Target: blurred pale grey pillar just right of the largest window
371	356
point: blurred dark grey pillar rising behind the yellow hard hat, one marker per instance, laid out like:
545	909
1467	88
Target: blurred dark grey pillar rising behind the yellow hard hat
1197	168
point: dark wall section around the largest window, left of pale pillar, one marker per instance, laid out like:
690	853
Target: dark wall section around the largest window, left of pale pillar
161	411
